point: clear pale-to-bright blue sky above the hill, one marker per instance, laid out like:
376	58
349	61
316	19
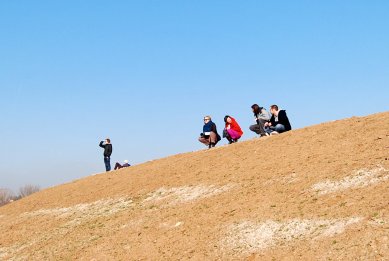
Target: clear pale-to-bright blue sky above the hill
144	73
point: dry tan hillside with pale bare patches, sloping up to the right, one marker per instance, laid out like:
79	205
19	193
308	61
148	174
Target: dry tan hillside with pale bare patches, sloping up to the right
318	193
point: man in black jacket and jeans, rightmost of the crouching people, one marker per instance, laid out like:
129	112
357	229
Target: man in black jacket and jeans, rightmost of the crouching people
279	121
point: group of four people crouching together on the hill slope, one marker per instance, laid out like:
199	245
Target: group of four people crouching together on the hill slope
266	123
